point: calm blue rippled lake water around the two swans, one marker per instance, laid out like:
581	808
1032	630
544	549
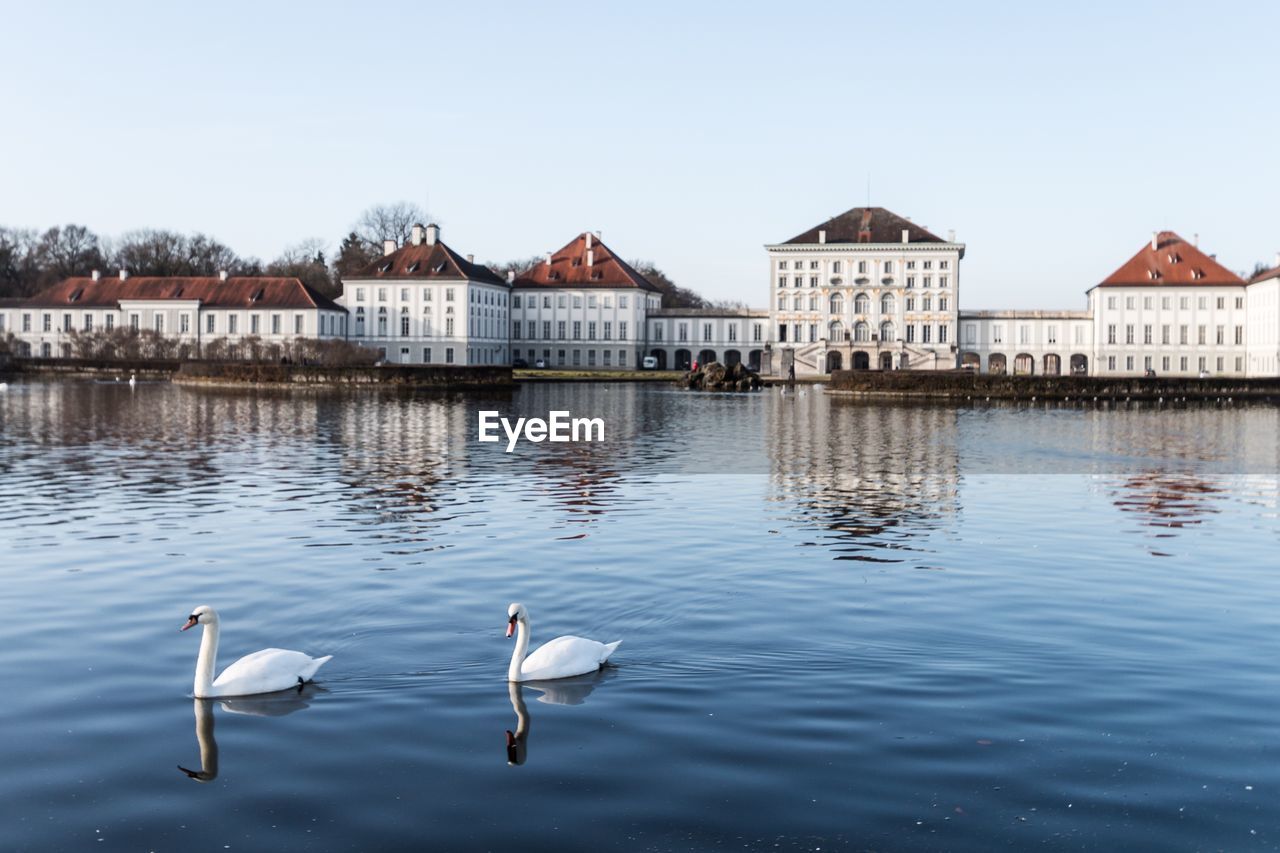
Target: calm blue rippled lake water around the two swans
845	626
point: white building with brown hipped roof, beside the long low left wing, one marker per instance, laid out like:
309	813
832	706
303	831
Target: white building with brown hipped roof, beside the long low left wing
424	304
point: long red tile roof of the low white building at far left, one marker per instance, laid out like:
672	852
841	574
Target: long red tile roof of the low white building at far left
248	291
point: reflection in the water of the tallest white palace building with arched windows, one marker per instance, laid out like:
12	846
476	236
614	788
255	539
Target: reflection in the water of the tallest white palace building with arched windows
872	478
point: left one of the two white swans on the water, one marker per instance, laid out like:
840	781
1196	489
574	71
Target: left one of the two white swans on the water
267	672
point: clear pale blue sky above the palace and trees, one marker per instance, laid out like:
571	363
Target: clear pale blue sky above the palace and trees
1053	138
